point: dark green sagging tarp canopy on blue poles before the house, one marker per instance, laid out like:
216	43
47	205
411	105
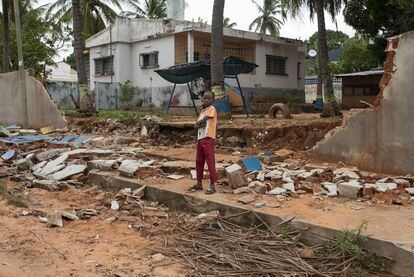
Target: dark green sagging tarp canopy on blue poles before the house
185	73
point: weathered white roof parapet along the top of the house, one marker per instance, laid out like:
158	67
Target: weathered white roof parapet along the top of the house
130	30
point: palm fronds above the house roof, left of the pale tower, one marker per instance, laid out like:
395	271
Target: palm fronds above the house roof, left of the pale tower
153	9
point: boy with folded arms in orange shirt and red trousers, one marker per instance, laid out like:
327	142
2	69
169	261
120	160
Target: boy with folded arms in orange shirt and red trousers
206	135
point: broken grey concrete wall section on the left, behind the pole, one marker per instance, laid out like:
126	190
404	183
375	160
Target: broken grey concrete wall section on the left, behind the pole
42	111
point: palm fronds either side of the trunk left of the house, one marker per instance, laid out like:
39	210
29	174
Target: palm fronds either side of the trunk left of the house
96	14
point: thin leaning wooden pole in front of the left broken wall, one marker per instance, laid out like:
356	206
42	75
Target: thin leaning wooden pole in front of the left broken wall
22	74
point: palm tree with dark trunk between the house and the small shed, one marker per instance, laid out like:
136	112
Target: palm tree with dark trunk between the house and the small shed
318	7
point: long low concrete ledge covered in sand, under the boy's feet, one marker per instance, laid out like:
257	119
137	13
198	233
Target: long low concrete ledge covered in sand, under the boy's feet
391	227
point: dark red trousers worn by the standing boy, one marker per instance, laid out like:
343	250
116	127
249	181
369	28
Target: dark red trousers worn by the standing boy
205	153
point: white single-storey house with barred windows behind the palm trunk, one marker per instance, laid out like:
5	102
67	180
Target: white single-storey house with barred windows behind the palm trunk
131	49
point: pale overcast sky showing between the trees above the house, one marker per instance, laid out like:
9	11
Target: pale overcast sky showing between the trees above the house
243	12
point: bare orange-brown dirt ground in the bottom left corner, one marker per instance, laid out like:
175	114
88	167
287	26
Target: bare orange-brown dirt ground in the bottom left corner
91	247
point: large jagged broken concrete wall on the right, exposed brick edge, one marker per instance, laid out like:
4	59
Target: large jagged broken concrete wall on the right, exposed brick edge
380	139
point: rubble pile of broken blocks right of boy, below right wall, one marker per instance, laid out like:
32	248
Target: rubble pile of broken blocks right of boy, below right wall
280	175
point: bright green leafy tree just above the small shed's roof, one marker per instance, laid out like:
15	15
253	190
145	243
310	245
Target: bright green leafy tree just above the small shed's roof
357	56
